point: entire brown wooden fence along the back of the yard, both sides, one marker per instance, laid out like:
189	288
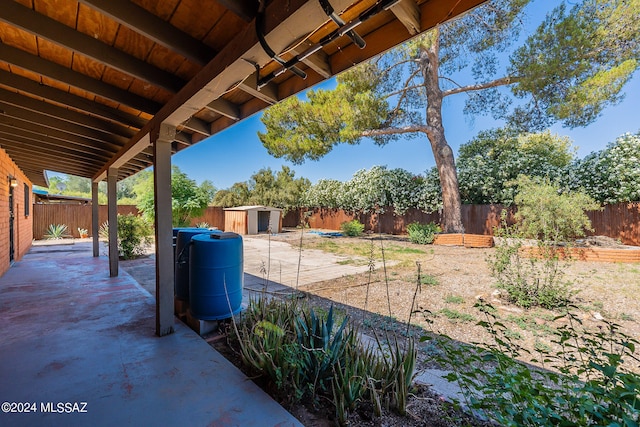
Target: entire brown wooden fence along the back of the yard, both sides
619	221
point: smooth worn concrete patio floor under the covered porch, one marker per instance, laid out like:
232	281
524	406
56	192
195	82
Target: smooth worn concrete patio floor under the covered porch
74	339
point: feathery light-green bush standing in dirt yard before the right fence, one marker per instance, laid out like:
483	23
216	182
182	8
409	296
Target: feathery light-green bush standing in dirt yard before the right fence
552	217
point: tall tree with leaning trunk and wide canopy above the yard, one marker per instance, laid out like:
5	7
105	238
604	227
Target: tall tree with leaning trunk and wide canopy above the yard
573	66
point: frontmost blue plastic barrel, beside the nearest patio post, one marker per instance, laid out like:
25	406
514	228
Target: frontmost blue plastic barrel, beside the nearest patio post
216	276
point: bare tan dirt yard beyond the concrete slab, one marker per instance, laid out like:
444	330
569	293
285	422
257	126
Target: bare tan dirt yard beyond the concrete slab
454	279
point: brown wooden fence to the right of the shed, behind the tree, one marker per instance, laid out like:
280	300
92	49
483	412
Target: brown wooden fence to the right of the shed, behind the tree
619	221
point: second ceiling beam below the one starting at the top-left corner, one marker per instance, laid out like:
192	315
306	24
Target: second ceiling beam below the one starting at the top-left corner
42	91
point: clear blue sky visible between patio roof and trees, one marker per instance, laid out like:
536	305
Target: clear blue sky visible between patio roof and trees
236	153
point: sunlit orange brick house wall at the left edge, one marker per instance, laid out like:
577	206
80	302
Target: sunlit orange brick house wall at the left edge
23	224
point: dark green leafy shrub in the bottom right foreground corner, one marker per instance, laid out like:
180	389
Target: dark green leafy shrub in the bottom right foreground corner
587	381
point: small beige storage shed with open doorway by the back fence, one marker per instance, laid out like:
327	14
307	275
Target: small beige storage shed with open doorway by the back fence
253	219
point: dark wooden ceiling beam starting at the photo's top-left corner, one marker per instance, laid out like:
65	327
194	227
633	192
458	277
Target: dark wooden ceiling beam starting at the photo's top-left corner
42	26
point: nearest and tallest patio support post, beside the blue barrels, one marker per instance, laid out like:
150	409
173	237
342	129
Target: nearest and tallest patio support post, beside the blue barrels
163	227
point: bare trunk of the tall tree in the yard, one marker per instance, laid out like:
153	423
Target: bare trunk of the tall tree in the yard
442	152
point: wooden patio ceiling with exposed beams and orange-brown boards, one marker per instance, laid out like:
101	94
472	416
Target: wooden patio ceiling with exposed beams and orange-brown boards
83	83
